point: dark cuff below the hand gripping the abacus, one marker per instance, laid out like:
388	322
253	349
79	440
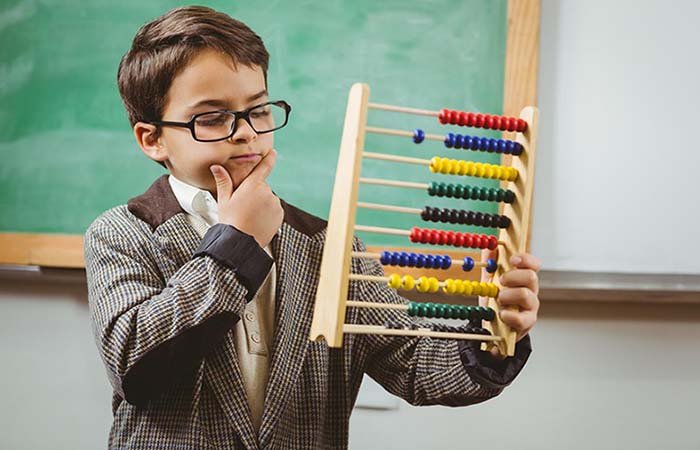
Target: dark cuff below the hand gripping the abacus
491	372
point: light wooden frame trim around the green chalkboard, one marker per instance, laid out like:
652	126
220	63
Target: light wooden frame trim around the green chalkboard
520	89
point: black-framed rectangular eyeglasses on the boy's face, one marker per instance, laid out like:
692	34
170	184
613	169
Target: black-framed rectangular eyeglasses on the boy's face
220	125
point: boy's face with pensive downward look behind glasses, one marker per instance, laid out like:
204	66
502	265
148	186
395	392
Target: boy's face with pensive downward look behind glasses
210	82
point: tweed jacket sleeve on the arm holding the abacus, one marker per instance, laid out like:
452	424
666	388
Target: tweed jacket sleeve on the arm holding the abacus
427	371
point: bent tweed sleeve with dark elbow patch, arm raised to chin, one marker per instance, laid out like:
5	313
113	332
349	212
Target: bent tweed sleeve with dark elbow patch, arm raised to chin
152	332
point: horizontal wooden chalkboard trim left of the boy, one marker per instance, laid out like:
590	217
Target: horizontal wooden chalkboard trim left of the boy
47	250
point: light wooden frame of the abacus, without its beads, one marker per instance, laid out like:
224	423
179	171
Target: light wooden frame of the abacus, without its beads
332	294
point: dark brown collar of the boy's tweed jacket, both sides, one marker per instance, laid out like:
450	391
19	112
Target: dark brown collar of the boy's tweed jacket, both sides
158	204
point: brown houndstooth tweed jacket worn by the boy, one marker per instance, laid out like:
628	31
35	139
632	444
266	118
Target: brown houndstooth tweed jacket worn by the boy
163	312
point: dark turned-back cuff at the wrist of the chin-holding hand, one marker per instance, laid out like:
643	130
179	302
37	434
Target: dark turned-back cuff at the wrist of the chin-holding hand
239	252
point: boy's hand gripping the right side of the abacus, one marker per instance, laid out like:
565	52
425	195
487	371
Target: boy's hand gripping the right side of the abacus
519	288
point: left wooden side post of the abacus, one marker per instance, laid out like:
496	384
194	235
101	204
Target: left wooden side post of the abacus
332	293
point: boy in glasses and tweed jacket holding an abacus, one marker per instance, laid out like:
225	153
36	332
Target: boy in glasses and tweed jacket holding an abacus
202	289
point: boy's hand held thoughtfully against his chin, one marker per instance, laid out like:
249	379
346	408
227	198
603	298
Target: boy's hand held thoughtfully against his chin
252	207
